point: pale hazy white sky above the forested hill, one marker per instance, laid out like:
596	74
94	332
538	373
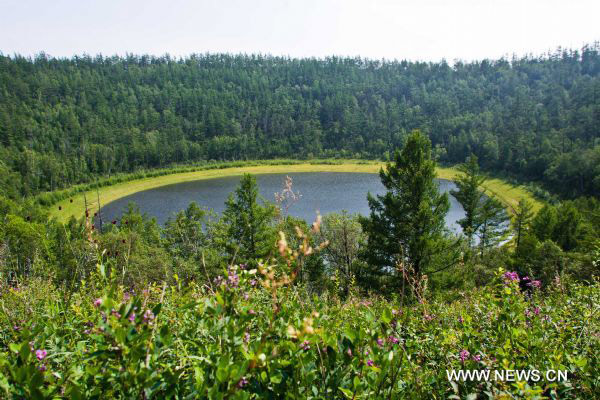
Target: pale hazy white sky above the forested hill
415	30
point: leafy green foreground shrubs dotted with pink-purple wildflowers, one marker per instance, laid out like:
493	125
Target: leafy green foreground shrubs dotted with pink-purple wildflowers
252	334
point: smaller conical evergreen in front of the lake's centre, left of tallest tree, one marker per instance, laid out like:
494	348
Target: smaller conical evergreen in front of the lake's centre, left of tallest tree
250	232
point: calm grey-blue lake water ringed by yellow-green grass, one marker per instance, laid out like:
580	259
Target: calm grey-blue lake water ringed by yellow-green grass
321	191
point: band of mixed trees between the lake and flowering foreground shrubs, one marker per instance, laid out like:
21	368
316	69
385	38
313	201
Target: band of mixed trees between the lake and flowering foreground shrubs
400	246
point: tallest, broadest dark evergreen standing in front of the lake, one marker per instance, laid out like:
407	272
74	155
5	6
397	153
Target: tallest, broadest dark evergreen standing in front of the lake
406	224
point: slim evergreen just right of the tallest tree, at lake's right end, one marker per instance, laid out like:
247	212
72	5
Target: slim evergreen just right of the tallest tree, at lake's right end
469	195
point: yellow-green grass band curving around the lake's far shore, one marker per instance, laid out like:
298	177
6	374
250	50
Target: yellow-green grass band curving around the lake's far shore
75	206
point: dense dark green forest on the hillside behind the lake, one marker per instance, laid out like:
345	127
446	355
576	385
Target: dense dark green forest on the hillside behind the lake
64	121
